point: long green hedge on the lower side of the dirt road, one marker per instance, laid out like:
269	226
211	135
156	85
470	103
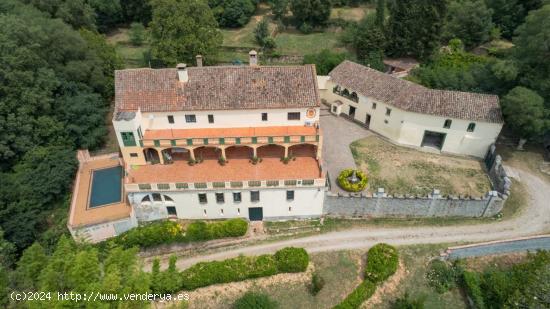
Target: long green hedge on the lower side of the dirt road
242	268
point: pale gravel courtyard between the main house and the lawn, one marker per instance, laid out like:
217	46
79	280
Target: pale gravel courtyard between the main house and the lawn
338	134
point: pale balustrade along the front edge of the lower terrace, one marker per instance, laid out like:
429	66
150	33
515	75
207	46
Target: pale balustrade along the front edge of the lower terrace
217	185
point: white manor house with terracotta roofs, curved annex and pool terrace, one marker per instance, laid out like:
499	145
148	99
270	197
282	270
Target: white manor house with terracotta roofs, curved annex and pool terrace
214	142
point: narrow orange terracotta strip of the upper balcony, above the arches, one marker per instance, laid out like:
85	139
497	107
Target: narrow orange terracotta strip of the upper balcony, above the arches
230	132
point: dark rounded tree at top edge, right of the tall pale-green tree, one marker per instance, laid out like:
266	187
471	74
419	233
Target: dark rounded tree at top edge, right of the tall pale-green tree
233	13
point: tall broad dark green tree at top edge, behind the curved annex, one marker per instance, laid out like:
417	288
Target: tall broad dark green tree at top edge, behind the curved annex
414	27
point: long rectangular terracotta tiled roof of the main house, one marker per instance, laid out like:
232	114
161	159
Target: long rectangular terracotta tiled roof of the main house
217	87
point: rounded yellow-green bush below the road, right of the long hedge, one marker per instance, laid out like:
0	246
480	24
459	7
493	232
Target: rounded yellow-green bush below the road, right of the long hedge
382	262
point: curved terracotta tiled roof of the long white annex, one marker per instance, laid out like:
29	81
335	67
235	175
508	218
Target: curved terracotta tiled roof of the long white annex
416	98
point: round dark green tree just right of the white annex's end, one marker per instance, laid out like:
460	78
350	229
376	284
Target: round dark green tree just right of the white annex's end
524	112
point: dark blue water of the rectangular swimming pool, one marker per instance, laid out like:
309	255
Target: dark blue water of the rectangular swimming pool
106	186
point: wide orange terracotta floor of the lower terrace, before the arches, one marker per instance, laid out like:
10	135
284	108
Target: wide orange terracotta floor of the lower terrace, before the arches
234	170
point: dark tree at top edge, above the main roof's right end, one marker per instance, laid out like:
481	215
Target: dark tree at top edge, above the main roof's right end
311	12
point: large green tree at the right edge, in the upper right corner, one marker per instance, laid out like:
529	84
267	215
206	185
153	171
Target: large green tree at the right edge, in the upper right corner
531	54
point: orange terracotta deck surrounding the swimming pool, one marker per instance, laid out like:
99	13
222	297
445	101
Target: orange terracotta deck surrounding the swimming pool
80	213
